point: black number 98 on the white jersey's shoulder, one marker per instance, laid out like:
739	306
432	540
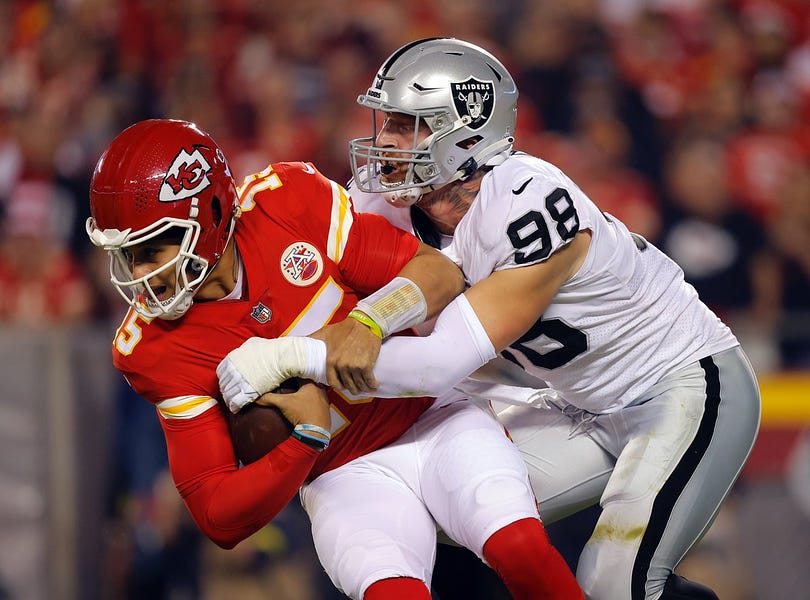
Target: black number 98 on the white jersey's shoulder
531	227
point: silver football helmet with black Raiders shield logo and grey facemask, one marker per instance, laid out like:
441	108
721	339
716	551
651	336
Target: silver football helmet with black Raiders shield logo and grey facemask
466	97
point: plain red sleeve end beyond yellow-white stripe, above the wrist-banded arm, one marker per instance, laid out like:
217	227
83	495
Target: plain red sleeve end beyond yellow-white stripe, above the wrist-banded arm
375	252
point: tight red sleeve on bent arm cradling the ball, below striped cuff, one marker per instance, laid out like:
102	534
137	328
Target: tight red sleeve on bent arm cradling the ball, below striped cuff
229	503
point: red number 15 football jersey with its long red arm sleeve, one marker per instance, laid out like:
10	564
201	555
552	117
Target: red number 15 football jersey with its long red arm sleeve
308	257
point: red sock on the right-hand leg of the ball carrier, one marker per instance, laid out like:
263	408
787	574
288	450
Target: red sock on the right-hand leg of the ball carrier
529	565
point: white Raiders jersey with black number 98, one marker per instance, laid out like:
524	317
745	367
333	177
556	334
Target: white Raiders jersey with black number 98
626	319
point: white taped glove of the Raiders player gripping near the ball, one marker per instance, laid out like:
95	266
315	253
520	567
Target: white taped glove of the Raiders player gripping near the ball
261	365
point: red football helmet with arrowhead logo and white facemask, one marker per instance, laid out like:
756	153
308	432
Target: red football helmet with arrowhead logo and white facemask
160	175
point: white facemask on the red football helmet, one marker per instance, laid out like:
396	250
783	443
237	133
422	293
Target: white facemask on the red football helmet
190	270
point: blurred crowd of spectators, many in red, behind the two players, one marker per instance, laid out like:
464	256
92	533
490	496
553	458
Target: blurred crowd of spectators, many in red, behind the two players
687	119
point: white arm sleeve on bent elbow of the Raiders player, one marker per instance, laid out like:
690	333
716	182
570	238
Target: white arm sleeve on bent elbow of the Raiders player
432	365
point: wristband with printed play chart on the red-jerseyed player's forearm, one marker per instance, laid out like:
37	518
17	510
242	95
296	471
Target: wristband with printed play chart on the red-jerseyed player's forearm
398	305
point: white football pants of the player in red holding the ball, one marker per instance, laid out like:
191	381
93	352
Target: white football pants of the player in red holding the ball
376	517
